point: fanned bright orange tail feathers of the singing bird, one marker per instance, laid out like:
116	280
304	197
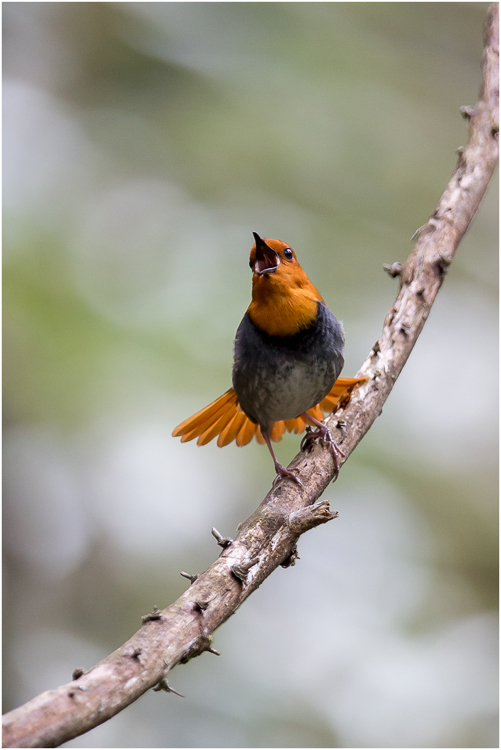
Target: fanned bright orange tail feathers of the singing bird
224	418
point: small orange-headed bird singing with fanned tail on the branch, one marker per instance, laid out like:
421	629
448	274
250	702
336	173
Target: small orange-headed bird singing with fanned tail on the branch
287	359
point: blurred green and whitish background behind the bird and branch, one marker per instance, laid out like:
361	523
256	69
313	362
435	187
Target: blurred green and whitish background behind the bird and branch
143	143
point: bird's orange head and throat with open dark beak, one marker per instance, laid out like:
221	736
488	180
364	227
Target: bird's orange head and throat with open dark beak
284	301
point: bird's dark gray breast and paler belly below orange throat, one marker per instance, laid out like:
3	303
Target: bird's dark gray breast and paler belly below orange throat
279	378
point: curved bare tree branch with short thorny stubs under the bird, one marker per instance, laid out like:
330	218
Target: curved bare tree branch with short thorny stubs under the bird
268	538
